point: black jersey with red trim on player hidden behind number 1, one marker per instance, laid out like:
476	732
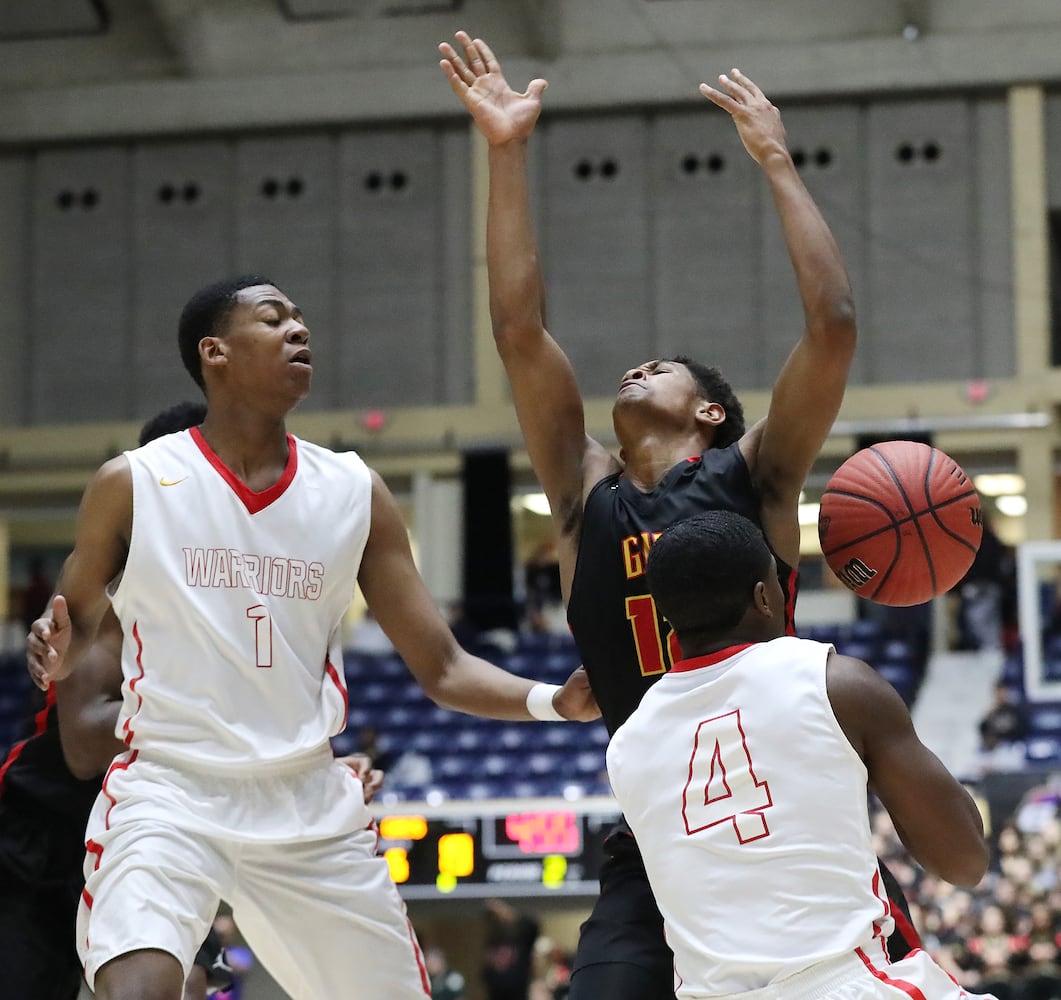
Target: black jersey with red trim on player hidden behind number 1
44	809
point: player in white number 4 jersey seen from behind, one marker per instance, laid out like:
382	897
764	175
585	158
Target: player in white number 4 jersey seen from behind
744	777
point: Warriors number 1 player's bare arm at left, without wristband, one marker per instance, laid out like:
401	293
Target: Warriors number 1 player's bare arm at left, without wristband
105	523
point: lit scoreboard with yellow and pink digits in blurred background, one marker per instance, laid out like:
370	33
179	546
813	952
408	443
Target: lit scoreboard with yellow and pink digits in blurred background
479	850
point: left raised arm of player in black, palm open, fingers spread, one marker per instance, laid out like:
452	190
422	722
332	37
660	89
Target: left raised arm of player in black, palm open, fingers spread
545	391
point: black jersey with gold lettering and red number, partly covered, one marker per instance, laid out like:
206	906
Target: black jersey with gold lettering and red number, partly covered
624	643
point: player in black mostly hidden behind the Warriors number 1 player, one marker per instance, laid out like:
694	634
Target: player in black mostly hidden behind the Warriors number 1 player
45	802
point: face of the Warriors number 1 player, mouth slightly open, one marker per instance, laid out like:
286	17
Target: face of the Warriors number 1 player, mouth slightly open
268	343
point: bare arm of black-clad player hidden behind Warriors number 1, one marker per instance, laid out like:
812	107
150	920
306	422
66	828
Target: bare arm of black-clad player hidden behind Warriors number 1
89	703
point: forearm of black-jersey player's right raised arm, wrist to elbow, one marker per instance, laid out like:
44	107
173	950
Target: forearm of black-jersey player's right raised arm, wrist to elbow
822	276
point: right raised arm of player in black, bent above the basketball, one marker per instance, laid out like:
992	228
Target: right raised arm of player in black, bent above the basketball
810	391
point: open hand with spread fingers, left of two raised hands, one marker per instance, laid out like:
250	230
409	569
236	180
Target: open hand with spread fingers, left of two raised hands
501	114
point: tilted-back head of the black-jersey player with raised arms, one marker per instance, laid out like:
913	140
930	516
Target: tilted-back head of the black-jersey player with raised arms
684	394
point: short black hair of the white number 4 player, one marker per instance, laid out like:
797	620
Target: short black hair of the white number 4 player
703	572
